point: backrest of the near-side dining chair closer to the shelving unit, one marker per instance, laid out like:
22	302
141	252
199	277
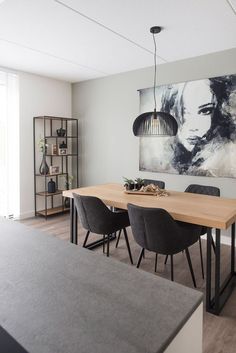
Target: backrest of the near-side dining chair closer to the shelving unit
93	214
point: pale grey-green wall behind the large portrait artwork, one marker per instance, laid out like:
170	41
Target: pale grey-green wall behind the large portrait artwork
107	107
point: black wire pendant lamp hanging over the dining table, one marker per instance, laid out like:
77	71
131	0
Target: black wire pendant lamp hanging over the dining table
155	123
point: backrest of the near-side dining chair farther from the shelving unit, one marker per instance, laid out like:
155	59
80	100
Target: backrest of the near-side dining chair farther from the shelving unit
154	229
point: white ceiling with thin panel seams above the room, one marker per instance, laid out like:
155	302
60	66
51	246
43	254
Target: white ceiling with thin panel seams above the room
76	40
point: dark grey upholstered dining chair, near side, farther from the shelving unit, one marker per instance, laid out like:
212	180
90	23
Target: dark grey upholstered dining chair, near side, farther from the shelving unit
154	229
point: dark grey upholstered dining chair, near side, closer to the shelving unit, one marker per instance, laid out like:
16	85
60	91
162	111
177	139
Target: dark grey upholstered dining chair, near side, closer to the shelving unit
95	217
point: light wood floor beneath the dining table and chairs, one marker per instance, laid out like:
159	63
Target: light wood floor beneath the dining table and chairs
219	332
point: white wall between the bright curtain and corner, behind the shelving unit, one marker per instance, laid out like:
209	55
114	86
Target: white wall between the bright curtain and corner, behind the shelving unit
38	96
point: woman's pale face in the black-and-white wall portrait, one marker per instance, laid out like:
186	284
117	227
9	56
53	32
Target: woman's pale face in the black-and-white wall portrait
198	106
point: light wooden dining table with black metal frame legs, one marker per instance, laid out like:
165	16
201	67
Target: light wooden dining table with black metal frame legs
209	211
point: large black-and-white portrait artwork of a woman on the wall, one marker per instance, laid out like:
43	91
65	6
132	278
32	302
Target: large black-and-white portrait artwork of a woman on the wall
205	144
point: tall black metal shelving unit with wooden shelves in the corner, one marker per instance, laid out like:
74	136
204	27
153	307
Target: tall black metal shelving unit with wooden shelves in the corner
46	127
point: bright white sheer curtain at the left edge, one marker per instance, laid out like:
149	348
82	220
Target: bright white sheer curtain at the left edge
9	145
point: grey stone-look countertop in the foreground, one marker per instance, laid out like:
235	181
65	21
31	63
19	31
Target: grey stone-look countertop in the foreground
58	297
